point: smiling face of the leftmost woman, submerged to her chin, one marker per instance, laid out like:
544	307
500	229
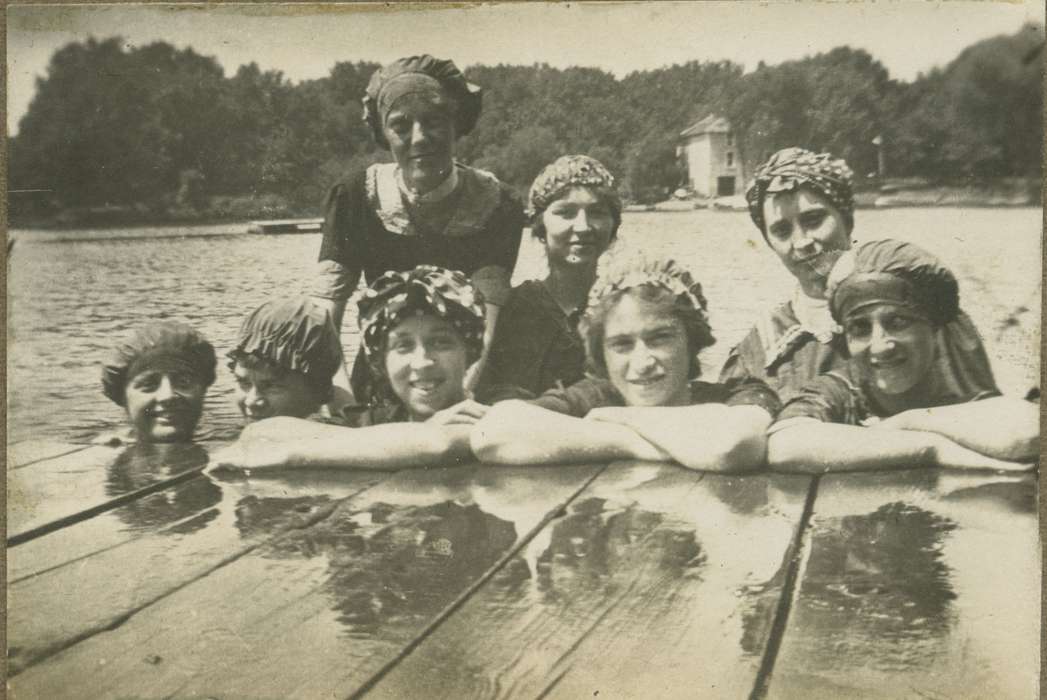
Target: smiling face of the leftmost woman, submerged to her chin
165	405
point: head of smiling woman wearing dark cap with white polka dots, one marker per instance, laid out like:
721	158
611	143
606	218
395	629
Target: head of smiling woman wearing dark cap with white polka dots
421	330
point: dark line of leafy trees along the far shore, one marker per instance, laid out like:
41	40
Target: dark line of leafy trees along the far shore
164	129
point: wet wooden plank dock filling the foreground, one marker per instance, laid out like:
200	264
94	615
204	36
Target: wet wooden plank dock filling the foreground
135	575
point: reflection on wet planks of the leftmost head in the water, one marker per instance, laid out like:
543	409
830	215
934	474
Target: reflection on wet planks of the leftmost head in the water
145	464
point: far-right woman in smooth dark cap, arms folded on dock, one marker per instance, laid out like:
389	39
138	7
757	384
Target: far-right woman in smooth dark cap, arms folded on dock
893	299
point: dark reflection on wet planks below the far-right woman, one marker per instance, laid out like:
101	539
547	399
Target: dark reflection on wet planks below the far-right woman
878	579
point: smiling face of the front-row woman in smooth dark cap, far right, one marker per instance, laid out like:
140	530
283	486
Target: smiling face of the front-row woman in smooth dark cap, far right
893	346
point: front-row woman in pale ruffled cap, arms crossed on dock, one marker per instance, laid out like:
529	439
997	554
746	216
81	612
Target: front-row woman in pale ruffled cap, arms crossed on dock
644	328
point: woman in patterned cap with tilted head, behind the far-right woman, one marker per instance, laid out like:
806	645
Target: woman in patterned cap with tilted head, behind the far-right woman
804	205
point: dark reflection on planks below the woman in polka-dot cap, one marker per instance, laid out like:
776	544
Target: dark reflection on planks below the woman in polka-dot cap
392	564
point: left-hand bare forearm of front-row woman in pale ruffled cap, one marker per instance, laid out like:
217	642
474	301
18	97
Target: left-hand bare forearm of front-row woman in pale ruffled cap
519	434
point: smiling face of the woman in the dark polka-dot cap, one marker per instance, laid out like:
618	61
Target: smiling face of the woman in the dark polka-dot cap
426	363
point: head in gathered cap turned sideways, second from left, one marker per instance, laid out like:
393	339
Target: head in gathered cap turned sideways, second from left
285	359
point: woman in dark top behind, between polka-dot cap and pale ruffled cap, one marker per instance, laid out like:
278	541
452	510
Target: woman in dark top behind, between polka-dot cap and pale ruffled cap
575	213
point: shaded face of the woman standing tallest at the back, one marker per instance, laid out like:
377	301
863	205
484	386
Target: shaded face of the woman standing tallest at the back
420	131
